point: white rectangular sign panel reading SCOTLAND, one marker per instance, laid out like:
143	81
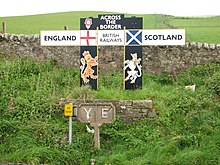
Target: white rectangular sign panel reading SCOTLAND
163	37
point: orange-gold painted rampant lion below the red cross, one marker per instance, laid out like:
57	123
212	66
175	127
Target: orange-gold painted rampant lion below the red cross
86	68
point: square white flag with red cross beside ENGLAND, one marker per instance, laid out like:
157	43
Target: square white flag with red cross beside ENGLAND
88	37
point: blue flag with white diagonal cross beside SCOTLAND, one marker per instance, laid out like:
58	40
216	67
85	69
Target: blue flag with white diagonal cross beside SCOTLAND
133	37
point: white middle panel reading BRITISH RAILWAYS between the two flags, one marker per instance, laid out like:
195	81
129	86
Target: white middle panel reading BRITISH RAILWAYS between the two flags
111	37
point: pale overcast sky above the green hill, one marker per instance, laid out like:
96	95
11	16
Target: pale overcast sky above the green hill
171	7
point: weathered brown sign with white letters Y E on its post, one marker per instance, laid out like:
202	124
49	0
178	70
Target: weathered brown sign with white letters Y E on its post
96	114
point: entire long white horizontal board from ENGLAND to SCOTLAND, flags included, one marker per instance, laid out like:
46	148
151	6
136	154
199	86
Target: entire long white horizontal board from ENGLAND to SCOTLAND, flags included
113	37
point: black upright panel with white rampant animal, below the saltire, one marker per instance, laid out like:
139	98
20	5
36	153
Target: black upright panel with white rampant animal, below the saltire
133	67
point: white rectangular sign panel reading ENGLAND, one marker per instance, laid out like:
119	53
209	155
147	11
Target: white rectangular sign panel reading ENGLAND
60	38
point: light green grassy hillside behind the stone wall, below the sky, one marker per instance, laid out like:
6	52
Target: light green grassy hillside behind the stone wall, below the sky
197	29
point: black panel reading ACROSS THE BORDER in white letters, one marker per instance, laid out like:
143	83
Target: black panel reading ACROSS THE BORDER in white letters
111	22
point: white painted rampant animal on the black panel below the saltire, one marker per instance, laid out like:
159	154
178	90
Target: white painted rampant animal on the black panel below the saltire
132	65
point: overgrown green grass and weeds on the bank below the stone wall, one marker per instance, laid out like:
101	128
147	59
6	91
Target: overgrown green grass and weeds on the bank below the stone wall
34	130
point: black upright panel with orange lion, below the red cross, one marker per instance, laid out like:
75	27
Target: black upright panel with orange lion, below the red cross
88	66
